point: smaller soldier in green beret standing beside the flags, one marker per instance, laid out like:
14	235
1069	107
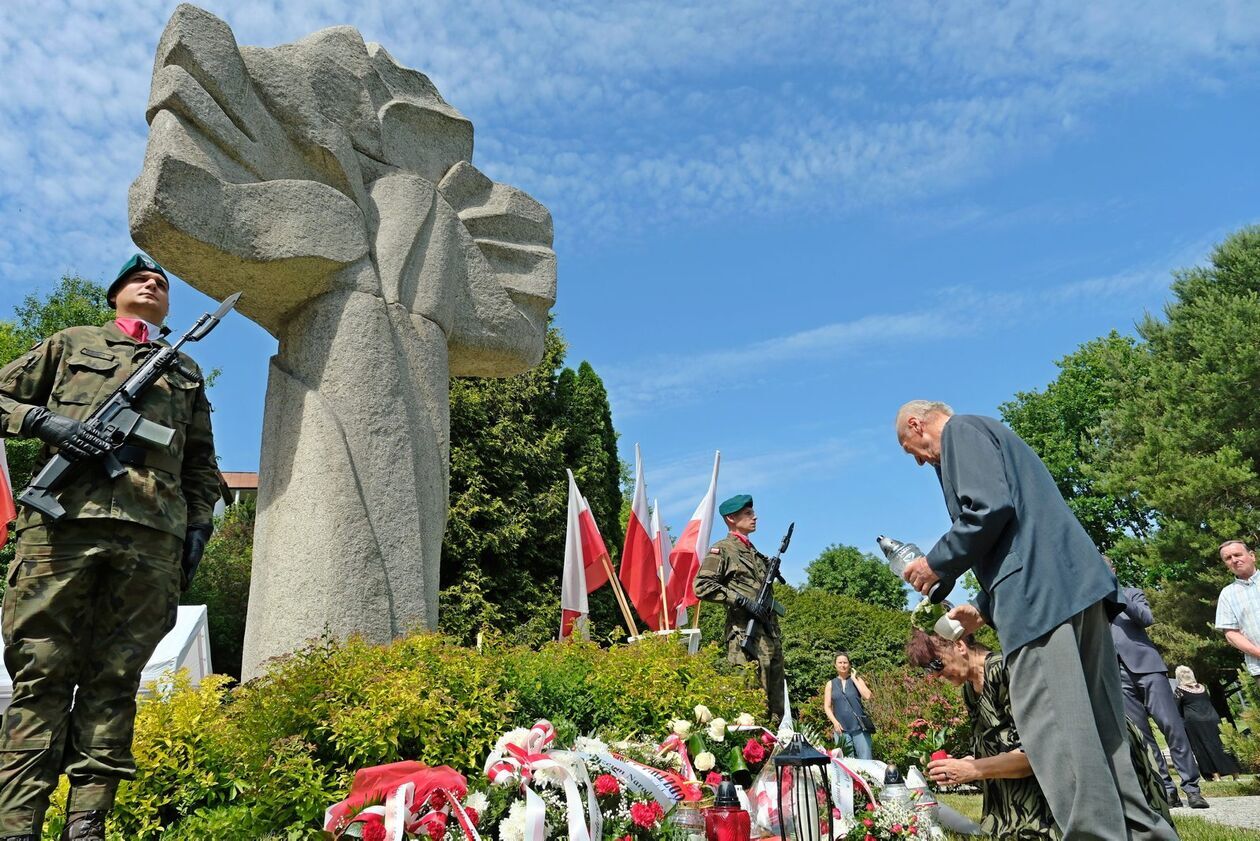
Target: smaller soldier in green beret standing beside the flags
733	574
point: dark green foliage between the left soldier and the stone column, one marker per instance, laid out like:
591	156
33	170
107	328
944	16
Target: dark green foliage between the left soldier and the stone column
222	584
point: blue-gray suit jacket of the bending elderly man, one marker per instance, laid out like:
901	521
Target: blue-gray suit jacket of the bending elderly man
1036	565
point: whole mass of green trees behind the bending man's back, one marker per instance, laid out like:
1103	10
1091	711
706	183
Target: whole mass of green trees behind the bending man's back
1155	446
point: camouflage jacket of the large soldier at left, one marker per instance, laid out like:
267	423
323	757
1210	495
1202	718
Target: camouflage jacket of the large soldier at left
71	374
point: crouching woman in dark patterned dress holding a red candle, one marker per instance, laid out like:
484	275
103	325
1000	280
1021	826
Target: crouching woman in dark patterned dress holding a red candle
1014	805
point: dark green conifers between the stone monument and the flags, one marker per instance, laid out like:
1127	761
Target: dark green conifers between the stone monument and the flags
511	442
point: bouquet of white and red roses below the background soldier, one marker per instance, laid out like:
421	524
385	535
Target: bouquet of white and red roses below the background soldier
714	748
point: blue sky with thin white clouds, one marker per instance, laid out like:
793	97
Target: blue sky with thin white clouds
776	223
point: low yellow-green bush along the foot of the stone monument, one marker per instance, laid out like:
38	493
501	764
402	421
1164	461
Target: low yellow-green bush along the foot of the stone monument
269	757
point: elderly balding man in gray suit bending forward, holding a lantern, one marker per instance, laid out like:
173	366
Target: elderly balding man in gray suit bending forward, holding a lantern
1048	593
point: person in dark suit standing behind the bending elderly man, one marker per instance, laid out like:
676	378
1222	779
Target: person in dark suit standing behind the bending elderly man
1148	695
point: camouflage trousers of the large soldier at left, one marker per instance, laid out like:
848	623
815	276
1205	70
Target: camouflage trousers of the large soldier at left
88	603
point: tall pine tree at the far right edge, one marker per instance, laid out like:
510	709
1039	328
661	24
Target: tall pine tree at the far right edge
1184	436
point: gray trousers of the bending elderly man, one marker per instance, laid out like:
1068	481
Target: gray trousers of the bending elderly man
1068	705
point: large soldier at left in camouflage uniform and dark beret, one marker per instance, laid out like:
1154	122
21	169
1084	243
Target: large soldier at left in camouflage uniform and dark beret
93	594
